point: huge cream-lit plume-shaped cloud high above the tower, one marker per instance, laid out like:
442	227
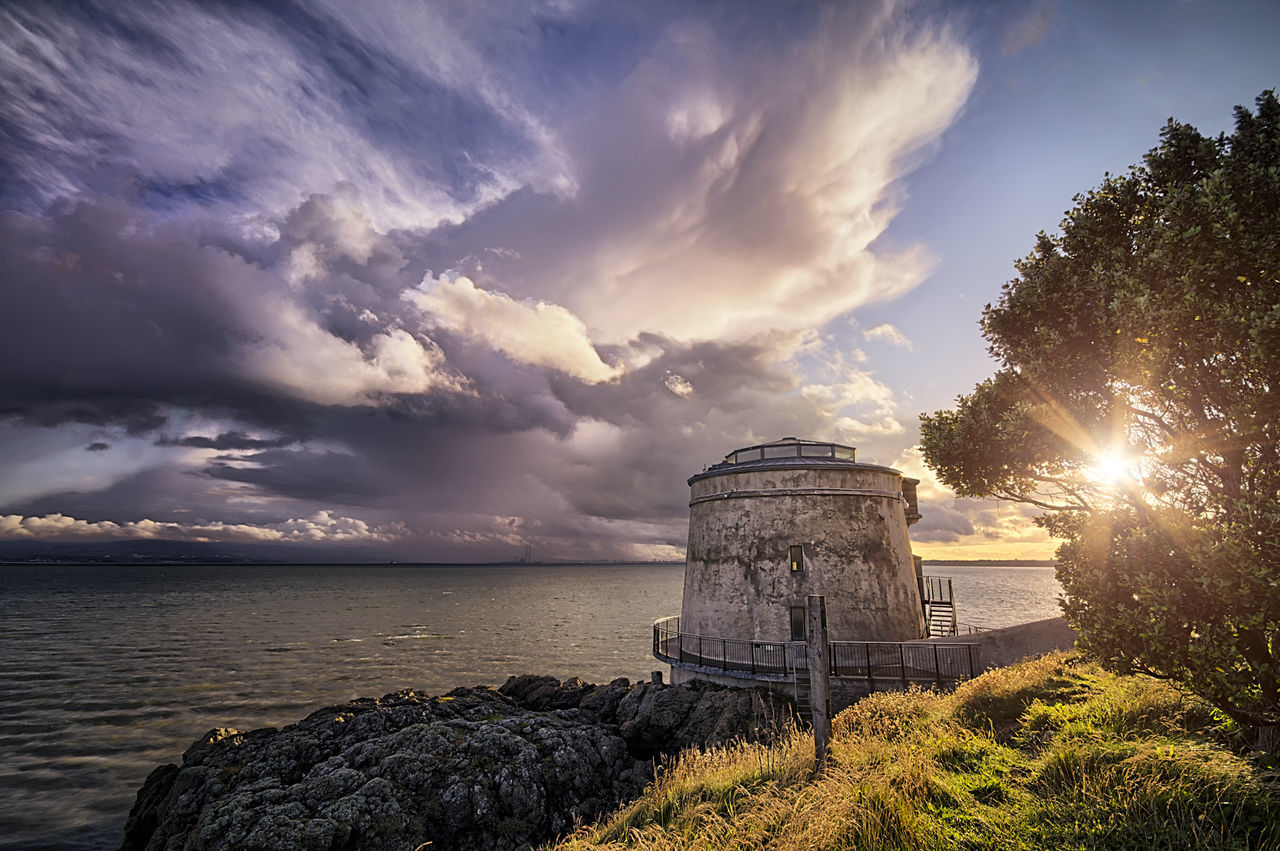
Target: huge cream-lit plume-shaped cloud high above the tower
725	194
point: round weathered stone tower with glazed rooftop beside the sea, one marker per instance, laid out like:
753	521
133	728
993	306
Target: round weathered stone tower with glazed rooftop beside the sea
776	523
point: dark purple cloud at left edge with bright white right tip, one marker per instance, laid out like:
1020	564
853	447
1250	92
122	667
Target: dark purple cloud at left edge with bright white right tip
125	306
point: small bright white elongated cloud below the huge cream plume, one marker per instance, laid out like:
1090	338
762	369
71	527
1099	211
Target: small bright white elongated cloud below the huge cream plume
536	333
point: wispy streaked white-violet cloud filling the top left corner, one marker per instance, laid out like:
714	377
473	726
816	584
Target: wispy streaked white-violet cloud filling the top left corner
243	107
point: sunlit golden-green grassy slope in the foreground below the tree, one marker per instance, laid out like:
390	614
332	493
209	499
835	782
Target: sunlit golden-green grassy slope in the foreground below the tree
1048	754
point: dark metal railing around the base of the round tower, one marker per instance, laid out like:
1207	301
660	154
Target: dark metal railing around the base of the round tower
870	661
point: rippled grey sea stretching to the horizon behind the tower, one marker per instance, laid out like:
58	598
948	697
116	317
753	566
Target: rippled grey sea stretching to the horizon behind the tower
109	671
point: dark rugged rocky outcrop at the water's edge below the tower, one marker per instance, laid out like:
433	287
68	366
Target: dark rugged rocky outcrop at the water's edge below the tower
478	768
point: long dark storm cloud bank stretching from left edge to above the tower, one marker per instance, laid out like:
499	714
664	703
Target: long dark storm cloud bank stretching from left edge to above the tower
148	323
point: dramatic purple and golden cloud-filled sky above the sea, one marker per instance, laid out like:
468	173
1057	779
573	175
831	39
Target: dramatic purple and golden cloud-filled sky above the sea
436	281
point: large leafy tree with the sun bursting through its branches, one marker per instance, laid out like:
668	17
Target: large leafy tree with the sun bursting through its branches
1137	402
